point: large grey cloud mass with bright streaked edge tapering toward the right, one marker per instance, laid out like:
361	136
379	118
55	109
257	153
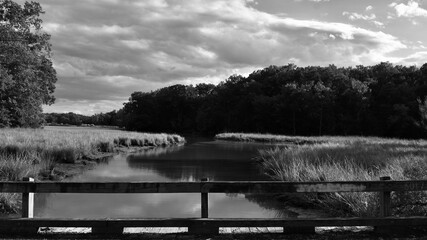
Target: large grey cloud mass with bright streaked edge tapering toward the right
106	49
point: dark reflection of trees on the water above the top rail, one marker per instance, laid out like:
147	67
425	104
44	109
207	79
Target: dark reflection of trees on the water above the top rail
217	160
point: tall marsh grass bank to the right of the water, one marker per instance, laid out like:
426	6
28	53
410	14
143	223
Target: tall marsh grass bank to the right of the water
303	159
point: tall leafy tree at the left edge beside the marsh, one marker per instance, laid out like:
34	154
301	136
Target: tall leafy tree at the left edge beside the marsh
27	77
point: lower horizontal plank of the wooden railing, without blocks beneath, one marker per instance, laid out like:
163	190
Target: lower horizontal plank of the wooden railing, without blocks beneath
214	222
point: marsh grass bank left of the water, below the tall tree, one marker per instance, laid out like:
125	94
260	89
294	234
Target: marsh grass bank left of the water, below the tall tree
55	153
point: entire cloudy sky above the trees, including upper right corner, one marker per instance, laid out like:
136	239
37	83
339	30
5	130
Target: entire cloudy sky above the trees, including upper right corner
104	50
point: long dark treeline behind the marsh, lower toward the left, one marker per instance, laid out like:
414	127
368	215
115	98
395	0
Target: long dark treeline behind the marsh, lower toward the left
382	100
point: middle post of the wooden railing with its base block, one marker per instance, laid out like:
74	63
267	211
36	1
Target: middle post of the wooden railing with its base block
203	228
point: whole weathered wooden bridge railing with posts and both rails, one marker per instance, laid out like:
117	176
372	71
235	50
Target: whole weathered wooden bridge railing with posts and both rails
205	225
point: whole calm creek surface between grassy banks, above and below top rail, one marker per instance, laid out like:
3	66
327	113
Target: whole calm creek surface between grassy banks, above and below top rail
217	160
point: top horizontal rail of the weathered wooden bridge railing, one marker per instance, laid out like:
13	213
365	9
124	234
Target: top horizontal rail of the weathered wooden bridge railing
212	187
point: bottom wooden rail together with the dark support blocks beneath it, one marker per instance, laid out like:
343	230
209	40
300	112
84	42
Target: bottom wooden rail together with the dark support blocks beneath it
25	226
